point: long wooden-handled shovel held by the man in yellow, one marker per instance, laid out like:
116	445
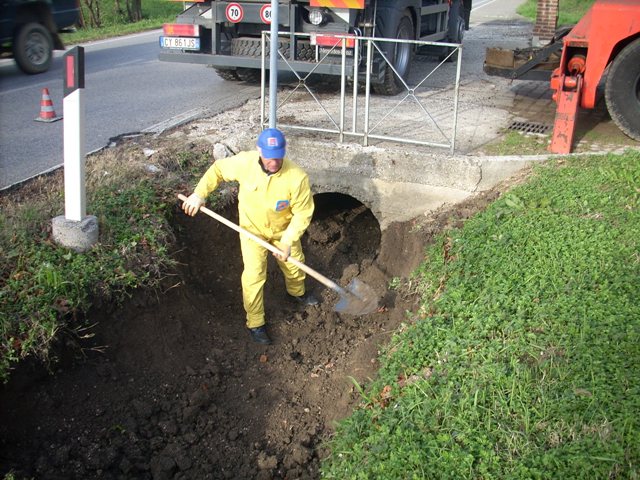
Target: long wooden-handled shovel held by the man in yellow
357	299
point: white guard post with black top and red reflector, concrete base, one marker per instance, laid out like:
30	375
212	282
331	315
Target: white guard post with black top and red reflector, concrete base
75	229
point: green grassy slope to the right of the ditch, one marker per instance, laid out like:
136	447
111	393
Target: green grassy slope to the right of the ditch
523	361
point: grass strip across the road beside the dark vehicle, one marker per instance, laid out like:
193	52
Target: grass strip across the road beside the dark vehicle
154	13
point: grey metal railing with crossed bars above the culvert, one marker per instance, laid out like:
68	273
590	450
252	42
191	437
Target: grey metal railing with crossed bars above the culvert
385	118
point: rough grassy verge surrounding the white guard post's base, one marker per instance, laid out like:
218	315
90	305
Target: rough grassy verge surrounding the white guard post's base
46	289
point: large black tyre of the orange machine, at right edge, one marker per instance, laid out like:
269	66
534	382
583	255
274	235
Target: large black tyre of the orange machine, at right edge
622	90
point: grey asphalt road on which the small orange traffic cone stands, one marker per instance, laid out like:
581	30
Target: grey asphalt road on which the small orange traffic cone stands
127	89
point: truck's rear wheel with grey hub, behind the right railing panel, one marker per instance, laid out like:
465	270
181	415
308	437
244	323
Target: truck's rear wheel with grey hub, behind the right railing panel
400	55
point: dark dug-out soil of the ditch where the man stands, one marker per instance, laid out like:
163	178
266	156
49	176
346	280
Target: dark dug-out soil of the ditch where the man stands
170	385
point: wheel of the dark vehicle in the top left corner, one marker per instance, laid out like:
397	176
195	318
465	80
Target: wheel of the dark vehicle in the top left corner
33	48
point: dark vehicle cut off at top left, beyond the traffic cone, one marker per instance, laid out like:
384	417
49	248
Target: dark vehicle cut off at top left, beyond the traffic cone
29	30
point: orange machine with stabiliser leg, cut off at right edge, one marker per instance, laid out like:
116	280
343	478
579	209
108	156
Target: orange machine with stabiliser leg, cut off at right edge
607	37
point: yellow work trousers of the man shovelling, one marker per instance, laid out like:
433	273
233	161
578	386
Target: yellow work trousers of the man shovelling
254	257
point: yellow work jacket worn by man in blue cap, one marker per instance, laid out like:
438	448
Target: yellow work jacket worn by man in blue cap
277	206
